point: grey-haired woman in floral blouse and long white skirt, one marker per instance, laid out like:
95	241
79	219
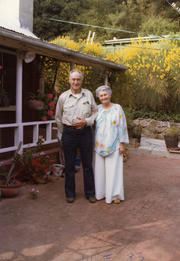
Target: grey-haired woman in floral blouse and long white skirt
110	136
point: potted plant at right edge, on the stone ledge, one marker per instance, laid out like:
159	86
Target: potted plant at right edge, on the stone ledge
171	137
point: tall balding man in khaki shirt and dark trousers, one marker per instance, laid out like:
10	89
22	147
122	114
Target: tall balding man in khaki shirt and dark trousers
74	120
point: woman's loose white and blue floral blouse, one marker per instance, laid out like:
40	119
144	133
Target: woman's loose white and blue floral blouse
111	129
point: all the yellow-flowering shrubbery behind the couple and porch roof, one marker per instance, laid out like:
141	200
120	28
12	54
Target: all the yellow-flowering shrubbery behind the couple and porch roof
152	81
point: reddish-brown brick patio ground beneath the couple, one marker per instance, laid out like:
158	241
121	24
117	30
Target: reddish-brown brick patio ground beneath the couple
145	227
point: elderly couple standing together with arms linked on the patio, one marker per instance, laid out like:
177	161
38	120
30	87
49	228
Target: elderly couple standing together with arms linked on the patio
76	112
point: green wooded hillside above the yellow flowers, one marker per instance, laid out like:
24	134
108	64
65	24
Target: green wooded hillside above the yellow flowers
145	16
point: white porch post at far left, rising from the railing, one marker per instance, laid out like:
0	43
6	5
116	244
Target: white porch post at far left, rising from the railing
19	70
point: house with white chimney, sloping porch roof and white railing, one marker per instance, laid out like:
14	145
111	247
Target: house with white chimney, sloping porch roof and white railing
18	49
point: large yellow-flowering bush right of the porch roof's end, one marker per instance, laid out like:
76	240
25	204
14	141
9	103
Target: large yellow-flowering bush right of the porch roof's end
153	74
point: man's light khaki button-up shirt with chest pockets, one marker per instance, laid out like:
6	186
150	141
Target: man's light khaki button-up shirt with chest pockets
71	106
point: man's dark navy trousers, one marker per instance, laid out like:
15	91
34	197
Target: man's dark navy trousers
73	139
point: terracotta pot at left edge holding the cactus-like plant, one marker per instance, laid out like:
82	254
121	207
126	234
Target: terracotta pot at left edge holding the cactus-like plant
10	191
